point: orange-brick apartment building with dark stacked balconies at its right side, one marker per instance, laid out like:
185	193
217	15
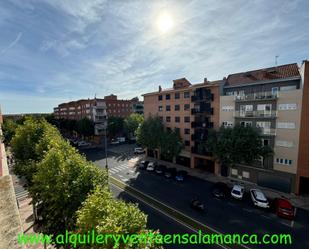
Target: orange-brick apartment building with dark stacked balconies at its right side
193	110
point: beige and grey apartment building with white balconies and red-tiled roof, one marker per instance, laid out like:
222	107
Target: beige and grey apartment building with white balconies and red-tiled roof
269	99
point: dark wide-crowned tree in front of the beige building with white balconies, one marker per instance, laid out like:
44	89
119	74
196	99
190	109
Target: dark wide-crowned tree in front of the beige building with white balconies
236	145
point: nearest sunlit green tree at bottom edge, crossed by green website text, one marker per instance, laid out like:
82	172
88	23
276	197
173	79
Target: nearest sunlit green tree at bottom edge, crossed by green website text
106	215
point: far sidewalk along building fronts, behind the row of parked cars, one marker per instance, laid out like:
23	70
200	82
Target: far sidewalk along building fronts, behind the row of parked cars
297	201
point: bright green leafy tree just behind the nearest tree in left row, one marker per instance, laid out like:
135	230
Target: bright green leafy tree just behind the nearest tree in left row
62	182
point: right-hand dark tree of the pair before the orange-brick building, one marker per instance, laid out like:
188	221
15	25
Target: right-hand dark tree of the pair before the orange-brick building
170	144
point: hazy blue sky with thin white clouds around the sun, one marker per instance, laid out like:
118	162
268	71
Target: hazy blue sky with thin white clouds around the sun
54	51
